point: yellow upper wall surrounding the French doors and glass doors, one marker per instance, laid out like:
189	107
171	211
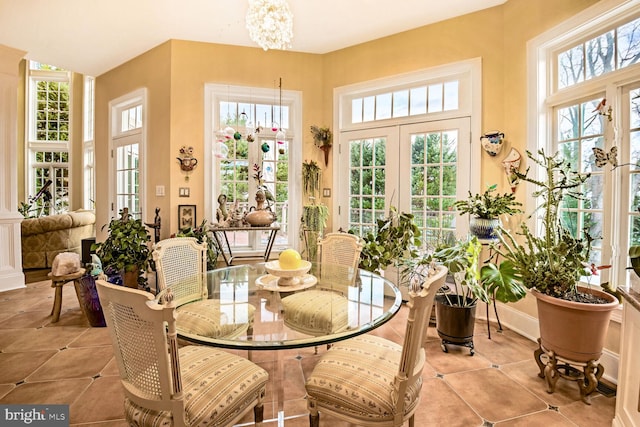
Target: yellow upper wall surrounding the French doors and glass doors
175	73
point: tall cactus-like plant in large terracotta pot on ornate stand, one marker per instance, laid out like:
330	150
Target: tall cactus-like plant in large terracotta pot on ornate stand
573	319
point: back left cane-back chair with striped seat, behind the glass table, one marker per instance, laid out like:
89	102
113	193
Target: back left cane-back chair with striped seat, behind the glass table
181	263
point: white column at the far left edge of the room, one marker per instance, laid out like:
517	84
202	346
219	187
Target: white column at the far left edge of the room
11	276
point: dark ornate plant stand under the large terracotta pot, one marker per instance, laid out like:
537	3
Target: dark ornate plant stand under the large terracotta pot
587	377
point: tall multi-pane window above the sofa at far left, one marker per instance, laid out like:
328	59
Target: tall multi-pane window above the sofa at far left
48	139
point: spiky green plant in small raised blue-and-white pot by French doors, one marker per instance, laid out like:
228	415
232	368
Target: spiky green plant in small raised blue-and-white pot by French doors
485	210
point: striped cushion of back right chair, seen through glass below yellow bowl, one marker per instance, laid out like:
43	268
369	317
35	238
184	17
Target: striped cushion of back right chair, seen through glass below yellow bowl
316	312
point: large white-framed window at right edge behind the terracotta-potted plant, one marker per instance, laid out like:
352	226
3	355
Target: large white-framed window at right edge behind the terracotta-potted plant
588	100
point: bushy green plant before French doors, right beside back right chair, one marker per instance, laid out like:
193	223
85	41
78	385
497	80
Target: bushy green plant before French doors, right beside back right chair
395	238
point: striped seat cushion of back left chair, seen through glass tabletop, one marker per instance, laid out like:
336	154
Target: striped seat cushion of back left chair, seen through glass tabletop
205	318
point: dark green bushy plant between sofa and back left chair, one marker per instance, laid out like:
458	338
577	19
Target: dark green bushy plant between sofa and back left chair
126	250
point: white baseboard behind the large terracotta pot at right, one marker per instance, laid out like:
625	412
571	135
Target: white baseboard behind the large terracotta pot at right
527	326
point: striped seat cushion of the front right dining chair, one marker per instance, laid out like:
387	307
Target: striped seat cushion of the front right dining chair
367	366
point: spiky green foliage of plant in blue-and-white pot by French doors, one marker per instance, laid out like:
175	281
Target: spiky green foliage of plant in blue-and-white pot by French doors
488	205
